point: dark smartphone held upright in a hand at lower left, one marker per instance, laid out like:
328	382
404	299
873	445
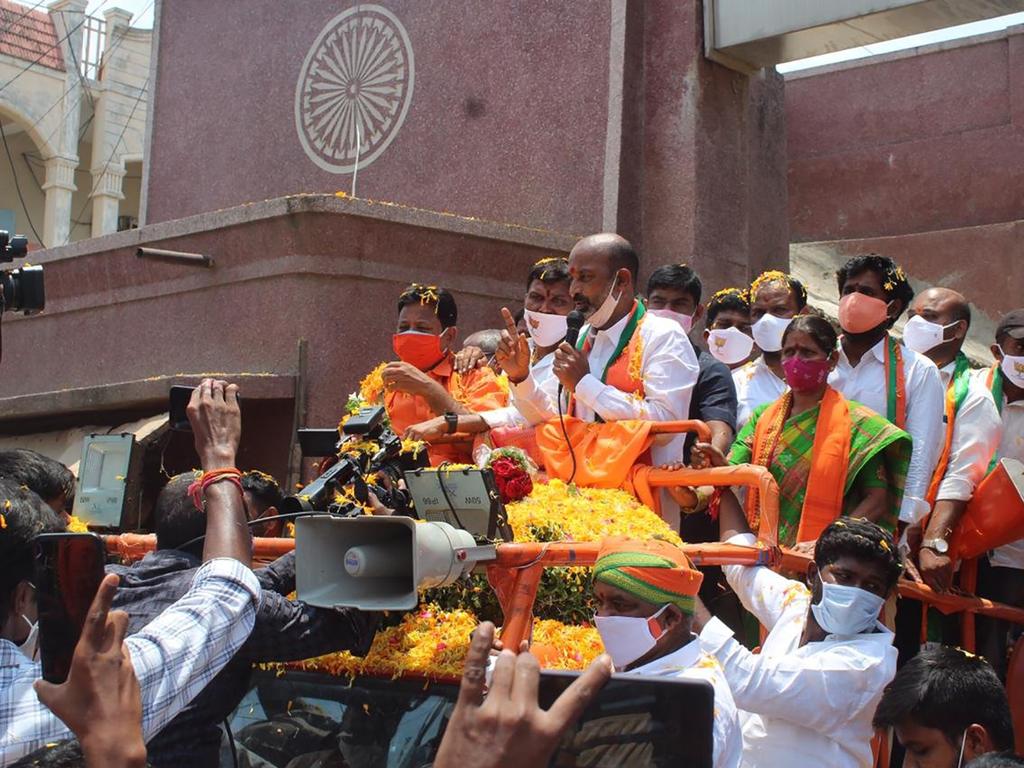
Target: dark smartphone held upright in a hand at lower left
69	569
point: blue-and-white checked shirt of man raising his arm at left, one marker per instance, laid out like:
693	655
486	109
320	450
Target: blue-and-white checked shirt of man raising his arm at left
175	657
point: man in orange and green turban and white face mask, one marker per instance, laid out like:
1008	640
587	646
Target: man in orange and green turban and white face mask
646	593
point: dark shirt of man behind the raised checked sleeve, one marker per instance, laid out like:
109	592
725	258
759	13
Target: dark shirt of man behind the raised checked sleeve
285	631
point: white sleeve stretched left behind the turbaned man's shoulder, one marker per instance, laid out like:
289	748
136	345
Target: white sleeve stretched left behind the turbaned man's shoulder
818	692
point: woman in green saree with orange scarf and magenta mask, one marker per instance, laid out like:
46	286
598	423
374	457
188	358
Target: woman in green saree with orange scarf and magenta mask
831	457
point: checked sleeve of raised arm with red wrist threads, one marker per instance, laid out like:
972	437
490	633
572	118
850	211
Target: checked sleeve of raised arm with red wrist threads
184	649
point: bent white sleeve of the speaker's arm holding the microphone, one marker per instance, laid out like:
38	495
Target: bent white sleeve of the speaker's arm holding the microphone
670	373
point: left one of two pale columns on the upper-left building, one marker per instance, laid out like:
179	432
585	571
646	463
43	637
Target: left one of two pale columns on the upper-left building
68	22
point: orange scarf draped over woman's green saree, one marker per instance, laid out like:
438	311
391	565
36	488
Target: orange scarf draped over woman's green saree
830	460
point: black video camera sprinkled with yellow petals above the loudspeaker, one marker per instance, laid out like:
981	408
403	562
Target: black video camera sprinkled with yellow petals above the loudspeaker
369	459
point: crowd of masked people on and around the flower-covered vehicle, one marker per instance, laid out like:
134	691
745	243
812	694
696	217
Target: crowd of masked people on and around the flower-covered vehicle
878	446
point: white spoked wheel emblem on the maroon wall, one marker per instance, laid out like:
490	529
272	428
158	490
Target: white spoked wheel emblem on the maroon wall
355	90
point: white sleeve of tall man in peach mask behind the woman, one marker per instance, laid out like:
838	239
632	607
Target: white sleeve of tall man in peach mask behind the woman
924	423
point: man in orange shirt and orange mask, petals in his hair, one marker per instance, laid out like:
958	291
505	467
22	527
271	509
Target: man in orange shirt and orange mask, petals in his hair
423	386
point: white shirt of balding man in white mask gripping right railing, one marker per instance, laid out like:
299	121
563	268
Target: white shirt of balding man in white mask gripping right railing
977	432
